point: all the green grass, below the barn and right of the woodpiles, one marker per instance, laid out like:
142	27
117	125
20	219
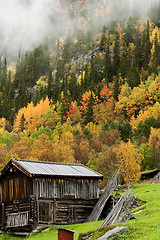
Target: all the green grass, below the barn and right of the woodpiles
147	227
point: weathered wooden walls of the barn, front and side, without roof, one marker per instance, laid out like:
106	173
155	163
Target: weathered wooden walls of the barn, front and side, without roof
27	201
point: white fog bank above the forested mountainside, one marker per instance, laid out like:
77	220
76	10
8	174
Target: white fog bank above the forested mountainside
28	23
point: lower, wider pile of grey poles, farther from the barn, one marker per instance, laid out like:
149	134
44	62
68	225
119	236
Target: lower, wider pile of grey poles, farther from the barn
120	212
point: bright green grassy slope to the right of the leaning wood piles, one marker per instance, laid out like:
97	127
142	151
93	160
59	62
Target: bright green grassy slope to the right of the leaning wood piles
148	225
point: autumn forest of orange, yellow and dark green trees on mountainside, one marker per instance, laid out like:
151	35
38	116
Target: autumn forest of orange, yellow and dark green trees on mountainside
91	98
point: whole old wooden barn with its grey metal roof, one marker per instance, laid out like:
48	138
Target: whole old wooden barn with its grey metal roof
33	192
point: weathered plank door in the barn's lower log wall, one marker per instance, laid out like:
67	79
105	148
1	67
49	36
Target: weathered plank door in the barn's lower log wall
45	212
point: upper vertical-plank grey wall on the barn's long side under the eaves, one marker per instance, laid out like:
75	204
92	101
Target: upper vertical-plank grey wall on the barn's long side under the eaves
63	188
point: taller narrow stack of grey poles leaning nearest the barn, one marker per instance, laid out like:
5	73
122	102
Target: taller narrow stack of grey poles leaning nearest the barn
110	187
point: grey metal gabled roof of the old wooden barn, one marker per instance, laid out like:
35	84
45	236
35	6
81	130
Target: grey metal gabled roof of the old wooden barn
52	169
